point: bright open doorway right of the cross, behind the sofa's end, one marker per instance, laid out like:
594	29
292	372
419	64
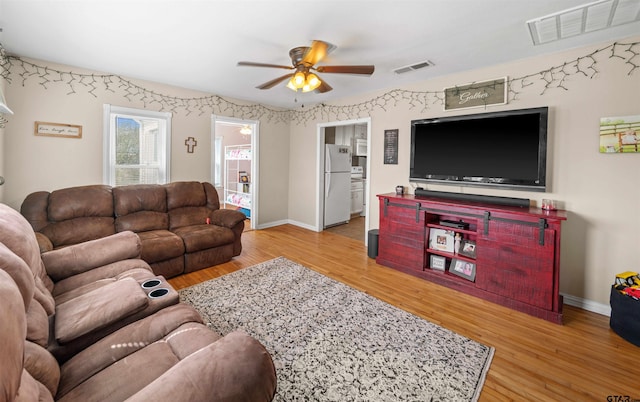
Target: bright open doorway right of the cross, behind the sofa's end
234	165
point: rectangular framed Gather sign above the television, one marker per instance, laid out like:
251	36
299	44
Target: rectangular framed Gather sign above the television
476	94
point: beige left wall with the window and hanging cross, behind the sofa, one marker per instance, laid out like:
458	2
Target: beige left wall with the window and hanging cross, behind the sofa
34	163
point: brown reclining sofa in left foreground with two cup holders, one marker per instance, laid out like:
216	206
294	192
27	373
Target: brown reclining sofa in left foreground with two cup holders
92	322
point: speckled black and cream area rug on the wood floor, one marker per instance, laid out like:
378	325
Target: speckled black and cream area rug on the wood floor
330	342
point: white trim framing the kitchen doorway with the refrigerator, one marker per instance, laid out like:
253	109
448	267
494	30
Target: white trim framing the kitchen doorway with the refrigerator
320	171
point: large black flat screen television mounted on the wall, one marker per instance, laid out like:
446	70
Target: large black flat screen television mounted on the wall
506	149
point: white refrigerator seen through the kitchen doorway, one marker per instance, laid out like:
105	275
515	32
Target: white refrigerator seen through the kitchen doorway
337	184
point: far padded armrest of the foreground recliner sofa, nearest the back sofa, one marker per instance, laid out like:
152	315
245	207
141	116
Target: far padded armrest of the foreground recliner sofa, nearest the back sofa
82	257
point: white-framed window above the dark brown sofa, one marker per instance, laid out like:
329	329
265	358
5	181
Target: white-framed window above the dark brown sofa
137	146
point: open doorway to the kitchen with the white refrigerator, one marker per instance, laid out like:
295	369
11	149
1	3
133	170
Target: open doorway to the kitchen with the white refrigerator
334	138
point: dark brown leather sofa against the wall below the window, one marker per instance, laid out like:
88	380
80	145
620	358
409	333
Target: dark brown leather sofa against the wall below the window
180	224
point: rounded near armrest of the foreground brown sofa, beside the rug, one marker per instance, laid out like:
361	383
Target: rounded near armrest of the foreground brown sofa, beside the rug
234	368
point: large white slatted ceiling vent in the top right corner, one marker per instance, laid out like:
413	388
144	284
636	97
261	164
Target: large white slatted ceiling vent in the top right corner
587	18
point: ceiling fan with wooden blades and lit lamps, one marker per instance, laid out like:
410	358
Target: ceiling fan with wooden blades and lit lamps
304	60
